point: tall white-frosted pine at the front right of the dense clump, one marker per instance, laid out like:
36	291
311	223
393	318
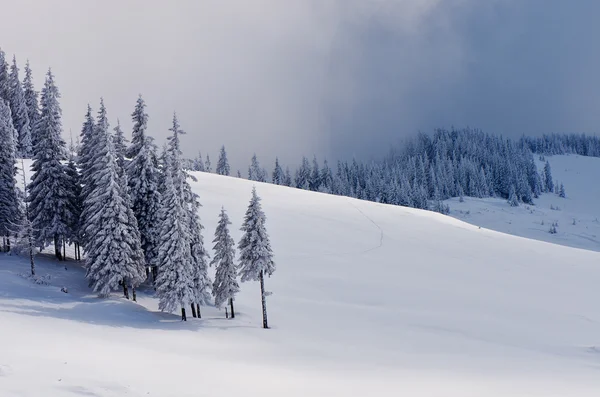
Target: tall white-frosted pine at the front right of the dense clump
175	281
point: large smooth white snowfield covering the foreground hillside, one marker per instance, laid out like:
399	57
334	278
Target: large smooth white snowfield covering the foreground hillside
368	300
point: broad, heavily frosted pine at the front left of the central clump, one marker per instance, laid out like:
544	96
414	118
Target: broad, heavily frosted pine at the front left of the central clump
114	256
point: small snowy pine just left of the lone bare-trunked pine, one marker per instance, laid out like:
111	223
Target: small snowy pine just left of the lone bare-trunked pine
225	286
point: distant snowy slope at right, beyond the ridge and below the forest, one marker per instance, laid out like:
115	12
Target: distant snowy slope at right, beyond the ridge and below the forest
577	215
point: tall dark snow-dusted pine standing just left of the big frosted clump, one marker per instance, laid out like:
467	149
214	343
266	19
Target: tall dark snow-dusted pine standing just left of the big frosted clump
47	197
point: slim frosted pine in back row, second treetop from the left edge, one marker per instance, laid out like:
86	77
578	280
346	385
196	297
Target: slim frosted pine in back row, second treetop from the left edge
19	111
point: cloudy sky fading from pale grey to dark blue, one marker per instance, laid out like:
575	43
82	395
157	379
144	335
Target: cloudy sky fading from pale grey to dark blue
335	78
